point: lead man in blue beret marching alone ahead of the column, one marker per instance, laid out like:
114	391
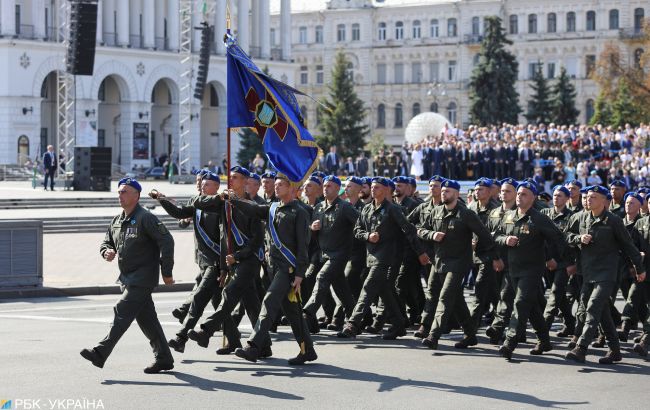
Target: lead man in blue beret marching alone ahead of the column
144	247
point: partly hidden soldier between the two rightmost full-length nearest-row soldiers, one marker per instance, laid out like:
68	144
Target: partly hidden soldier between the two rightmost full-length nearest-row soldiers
558	304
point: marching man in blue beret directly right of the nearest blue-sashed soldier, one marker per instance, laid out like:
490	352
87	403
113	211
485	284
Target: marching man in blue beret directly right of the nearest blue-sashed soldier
332	223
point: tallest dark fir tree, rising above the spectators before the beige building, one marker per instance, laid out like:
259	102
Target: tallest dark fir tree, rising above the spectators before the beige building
492	93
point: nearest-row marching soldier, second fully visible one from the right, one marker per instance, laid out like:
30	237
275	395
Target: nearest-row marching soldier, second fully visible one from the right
525	231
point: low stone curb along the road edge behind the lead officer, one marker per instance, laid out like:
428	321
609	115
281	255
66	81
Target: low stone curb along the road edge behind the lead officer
49	292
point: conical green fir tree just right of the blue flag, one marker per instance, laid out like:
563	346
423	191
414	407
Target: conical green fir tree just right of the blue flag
342	123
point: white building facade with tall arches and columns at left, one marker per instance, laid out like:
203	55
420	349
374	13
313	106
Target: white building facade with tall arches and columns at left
134	89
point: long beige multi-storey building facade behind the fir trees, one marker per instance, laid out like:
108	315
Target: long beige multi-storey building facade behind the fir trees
412	56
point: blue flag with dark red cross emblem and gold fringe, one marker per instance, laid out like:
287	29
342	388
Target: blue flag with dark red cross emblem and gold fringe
258	101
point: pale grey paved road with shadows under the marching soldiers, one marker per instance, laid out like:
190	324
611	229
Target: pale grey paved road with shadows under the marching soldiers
41	339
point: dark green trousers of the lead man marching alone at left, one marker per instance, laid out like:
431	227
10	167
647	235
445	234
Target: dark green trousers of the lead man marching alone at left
136	304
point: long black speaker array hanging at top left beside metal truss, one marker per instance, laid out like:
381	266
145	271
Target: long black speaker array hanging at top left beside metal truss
83	32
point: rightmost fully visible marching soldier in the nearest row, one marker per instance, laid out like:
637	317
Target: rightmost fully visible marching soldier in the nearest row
600	235
